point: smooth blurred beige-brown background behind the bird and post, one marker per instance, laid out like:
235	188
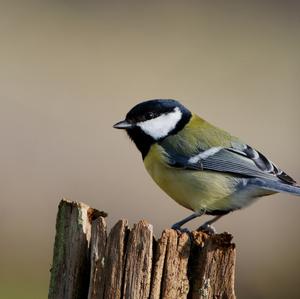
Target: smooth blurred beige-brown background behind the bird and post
70	69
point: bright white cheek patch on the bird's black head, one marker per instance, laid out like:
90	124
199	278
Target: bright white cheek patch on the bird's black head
162	125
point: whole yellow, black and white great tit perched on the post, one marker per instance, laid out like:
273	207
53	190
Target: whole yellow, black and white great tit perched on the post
200	166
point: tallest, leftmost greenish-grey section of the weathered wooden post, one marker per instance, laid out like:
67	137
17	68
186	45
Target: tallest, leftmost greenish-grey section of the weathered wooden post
71	263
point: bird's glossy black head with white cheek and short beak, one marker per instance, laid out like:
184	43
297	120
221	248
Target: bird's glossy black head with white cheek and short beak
154	120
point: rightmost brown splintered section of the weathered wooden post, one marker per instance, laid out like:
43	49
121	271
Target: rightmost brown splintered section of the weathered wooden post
212	266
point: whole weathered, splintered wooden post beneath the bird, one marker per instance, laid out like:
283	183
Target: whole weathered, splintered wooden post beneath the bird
129	263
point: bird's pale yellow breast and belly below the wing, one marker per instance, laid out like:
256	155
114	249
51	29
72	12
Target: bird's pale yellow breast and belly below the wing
194	190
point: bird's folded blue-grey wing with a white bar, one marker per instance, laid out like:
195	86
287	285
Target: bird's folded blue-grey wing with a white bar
239	159
